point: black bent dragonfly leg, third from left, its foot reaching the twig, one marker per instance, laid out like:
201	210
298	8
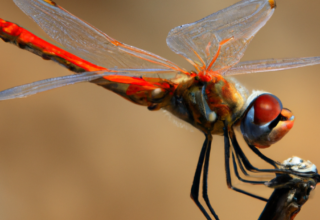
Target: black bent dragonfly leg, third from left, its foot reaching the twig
227	167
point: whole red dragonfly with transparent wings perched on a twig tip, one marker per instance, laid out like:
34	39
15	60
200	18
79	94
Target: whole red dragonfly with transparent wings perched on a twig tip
206	98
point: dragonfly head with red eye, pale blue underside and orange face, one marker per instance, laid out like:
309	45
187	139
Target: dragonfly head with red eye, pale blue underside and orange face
265	120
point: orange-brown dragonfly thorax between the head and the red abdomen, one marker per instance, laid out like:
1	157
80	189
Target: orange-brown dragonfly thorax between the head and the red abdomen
208	104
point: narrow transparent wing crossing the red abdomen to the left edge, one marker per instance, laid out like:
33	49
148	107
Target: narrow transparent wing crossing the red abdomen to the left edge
52	83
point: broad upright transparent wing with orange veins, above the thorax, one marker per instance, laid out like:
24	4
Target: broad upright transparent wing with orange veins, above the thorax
199	42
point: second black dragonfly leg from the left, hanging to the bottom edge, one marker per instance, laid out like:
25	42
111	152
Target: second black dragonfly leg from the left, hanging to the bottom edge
205	177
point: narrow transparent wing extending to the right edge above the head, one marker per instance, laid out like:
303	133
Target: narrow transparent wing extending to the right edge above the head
257	66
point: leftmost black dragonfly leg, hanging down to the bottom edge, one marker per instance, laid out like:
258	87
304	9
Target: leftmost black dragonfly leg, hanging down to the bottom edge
196	180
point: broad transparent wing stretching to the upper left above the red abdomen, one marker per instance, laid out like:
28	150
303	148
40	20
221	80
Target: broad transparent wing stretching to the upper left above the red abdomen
87	42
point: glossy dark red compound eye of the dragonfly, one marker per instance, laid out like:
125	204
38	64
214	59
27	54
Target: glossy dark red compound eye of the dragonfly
266	109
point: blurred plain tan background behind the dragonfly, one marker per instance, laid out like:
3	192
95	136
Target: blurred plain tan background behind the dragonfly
81	152
